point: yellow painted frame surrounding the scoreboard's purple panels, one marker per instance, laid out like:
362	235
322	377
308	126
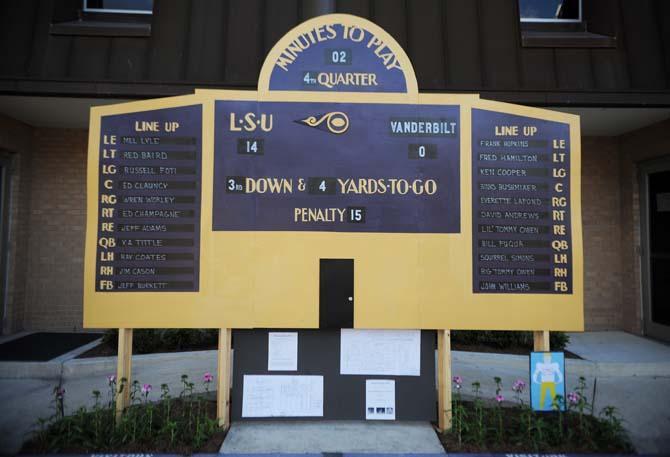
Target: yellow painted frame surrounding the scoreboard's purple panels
270	279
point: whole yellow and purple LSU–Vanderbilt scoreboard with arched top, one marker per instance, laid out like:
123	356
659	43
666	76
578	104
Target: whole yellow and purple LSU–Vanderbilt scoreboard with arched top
232	209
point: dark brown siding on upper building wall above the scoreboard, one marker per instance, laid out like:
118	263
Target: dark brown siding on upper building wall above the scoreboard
455	45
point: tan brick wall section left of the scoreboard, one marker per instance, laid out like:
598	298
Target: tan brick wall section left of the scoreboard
57	228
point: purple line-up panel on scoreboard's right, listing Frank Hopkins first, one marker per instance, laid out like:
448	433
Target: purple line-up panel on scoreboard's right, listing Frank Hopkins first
520	204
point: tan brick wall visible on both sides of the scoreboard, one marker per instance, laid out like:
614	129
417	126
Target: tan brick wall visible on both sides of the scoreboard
58	208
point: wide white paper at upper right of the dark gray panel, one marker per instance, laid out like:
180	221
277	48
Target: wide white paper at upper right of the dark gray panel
380	352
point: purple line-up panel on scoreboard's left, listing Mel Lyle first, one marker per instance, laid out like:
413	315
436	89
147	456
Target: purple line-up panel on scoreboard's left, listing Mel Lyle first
149	209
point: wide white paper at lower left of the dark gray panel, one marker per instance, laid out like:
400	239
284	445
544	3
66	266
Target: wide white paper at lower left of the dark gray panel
282	396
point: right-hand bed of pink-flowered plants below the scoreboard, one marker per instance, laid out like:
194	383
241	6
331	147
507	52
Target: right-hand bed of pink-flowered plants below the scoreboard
495	426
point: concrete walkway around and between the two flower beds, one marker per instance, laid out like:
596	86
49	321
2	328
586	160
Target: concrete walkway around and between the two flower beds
633	374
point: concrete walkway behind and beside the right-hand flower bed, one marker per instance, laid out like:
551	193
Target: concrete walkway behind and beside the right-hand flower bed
634	377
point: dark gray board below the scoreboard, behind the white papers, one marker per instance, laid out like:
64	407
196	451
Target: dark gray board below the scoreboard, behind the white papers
344	395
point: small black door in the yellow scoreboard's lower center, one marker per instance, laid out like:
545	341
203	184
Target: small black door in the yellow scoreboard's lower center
336	293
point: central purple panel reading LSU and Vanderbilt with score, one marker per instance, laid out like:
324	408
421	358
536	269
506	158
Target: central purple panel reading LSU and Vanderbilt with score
294	166
